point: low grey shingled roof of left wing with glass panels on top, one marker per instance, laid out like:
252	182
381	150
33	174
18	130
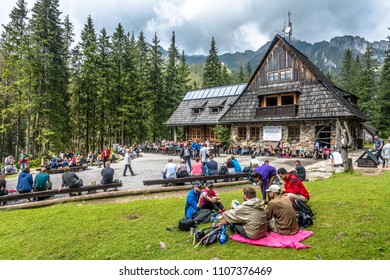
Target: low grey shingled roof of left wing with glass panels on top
221	97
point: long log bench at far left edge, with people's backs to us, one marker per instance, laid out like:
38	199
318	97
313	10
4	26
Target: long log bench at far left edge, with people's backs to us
89	189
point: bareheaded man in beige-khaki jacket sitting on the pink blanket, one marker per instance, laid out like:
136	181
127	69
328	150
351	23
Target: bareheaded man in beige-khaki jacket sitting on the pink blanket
248	219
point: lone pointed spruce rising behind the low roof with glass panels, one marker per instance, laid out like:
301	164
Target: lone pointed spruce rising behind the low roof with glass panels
212	67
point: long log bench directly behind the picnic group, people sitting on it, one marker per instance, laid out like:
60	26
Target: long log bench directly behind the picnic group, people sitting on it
190	179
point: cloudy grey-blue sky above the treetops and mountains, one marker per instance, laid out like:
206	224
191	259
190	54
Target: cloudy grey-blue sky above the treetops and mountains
236	25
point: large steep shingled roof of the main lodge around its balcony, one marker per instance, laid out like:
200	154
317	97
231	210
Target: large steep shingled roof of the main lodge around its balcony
318	99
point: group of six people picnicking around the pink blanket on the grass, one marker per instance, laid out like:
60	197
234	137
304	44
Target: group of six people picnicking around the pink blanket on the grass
253	217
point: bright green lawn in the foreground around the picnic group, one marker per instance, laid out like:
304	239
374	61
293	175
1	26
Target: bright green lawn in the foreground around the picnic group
351	223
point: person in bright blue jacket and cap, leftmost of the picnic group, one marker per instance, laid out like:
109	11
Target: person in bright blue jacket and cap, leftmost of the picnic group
191	209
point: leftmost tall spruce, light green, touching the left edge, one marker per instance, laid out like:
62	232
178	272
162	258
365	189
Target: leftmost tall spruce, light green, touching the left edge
14	49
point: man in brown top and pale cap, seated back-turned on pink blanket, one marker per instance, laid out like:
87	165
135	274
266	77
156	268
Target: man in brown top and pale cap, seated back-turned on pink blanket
280	213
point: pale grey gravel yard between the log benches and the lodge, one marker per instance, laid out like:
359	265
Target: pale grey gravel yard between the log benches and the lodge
150	166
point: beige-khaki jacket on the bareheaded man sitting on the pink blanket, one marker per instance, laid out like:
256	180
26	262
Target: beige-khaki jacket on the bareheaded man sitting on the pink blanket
250	214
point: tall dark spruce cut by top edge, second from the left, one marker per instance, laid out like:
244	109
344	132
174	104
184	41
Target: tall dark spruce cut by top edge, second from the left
49	74
